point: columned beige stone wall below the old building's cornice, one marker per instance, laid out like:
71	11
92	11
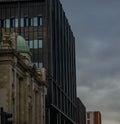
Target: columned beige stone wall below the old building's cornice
21	95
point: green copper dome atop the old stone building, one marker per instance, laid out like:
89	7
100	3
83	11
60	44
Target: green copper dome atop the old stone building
22	45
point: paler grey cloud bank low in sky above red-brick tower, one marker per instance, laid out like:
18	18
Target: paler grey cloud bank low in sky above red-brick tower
105	100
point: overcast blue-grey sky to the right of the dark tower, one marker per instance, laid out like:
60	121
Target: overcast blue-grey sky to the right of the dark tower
96	27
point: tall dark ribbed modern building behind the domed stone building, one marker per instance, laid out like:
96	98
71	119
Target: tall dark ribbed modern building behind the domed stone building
45	27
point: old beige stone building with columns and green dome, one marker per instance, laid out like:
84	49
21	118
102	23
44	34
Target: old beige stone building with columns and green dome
22	85
